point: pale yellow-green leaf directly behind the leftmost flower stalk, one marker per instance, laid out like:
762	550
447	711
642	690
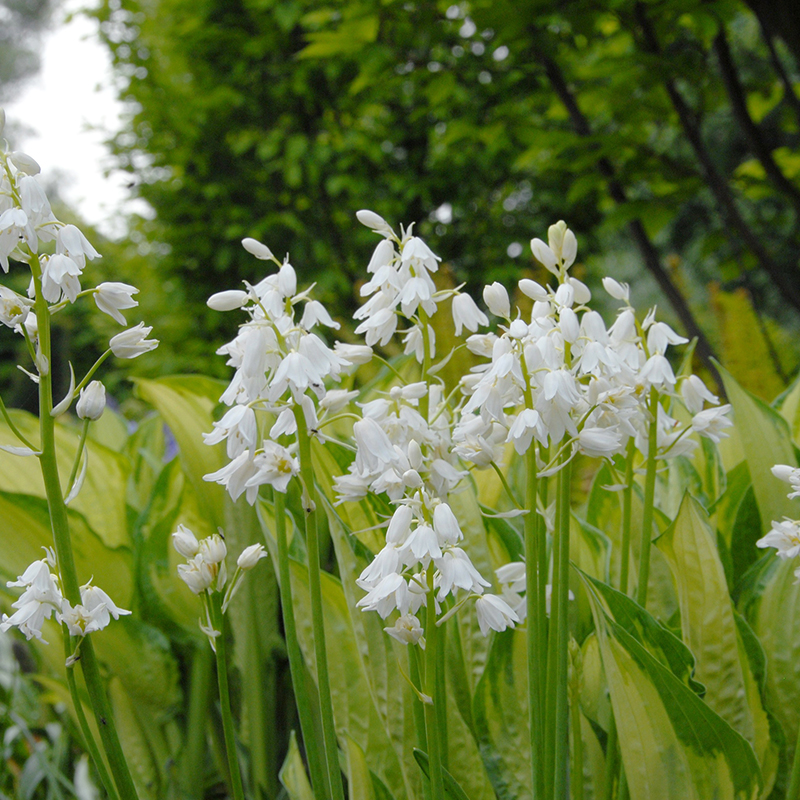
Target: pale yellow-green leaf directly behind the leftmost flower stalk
102	497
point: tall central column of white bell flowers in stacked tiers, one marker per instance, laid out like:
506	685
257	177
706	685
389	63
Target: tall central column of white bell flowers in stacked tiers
404	448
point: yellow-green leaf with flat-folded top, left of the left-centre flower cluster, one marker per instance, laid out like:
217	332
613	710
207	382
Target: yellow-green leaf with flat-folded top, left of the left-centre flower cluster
186	403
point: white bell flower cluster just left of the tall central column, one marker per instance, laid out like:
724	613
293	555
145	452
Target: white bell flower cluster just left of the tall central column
281	368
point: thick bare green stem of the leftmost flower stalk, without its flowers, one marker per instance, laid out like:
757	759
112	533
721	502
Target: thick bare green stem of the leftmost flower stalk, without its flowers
63	546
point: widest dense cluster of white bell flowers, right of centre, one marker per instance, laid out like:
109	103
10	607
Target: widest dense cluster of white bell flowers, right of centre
563	379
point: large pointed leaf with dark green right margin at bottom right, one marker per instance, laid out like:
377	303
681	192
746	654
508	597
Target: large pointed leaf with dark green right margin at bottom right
673	745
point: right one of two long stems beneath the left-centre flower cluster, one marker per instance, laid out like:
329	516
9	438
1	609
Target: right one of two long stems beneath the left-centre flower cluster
331	747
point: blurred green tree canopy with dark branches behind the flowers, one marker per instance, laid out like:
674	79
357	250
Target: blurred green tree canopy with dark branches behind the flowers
665	133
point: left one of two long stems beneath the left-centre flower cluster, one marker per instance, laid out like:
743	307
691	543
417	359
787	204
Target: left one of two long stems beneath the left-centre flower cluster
296	664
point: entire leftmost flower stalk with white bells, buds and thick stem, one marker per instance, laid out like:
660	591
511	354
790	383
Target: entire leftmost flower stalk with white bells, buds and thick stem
56	255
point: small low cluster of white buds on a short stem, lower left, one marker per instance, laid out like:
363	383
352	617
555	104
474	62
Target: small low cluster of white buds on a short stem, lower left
205	571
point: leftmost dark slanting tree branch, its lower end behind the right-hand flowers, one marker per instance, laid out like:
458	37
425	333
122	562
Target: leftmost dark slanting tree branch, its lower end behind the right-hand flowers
637	230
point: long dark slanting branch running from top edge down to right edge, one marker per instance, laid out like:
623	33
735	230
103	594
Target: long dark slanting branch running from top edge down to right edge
785	279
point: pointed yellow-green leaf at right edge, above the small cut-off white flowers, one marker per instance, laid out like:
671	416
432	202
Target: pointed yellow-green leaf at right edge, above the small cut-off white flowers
765	440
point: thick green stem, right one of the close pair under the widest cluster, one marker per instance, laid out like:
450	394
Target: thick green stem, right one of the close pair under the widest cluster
561	624
